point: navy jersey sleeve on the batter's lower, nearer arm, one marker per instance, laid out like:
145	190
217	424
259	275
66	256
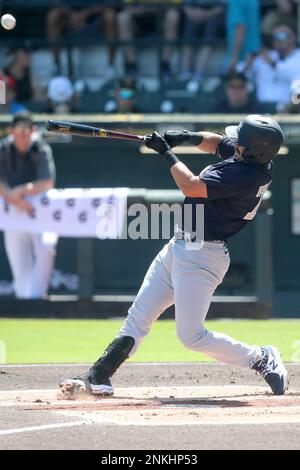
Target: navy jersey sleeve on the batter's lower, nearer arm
226	181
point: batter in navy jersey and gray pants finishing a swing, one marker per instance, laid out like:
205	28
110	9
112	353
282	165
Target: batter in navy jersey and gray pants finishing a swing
231	192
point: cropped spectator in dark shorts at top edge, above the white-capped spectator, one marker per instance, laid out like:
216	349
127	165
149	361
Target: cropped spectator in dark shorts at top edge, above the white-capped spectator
66	19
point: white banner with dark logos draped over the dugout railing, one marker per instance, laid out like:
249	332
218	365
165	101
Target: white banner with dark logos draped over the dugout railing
75	212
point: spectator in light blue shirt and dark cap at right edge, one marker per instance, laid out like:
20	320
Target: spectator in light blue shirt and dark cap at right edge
274	71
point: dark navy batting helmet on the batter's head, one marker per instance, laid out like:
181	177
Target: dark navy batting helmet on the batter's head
260	135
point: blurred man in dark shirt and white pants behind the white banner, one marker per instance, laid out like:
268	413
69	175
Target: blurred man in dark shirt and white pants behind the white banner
27	168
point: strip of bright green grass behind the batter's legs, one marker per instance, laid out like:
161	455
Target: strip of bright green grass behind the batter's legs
72	341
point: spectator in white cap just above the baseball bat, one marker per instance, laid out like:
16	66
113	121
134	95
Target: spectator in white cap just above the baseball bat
61	96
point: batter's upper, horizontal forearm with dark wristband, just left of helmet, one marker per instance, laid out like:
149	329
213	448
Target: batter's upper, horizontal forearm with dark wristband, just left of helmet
206	141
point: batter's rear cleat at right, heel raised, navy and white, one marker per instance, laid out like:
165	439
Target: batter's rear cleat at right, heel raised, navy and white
271	368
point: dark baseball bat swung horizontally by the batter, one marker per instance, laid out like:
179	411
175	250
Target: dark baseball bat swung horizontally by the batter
73	128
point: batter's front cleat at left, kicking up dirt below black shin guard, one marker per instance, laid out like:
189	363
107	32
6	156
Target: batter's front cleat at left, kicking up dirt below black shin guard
77	387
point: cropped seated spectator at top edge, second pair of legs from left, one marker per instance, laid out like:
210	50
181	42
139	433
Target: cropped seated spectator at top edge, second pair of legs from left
131	22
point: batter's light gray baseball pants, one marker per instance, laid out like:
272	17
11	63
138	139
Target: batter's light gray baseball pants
184	274
